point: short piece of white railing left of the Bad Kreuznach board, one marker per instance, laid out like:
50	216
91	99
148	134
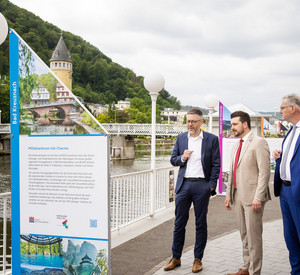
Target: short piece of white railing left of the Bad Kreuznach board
5	258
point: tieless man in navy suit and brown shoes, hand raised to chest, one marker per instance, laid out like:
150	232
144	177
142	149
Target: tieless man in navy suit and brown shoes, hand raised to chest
198	155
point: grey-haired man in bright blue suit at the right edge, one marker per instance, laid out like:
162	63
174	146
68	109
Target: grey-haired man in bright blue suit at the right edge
287	179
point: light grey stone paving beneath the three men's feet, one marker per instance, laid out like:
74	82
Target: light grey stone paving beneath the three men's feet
224	254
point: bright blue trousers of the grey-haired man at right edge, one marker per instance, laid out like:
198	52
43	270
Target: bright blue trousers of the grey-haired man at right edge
291	225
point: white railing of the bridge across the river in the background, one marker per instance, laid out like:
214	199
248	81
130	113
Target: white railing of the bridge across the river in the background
144	129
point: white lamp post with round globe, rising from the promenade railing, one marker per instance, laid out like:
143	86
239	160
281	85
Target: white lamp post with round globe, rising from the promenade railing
153	83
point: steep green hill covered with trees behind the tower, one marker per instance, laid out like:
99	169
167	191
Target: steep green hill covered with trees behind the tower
96	78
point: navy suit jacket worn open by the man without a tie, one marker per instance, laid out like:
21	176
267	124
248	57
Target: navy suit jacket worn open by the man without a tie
210	158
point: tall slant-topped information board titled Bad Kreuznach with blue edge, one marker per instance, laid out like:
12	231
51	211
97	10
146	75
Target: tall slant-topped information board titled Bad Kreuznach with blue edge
60	190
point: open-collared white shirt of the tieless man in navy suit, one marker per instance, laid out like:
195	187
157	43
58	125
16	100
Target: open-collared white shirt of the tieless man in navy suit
194	168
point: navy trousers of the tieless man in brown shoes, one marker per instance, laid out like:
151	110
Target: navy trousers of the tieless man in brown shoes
197	192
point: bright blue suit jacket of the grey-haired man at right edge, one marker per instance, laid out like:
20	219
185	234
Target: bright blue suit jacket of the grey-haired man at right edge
295	172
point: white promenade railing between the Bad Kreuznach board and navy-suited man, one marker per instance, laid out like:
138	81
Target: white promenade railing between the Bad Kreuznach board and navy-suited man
133	197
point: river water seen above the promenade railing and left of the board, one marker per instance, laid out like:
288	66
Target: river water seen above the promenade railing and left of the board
141	162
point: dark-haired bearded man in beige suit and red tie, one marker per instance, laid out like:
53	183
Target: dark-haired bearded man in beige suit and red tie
248	190
